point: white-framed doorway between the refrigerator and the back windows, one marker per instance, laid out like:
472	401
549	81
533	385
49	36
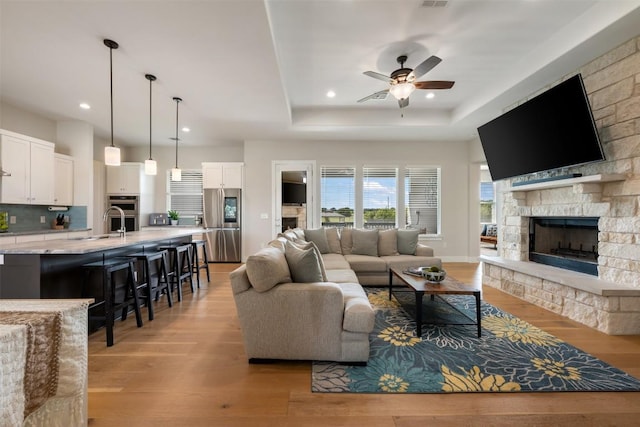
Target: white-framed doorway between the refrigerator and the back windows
294	195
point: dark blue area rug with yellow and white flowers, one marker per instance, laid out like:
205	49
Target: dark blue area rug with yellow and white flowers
511	356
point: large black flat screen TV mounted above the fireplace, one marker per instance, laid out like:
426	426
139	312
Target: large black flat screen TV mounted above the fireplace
552	130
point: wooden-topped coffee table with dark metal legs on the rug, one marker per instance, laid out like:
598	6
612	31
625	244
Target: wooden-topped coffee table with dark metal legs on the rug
449	286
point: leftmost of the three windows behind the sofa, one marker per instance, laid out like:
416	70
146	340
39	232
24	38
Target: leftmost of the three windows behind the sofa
337	189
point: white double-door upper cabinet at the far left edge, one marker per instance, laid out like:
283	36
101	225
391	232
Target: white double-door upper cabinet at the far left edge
31	164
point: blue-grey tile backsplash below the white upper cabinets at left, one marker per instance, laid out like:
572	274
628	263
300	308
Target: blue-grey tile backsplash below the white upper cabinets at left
27	217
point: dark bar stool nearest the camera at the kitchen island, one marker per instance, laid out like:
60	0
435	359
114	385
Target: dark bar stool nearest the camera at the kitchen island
109	268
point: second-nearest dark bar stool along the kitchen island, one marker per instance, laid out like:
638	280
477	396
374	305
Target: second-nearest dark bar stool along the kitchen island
154	288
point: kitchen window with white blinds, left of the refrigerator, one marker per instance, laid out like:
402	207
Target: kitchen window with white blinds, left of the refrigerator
185	196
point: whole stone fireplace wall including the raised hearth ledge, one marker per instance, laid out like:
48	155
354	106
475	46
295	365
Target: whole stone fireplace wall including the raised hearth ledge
612	82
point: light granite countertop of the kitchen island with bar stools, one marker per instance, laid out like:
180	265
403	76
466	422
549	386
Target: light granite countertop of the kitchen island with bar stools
98	243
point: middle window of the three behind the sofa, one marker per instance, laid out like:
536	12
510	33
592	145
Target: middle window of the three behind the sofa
379	196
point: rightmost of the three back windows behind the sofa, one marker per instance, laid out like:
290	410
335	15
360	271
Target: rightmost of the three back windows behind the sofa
422	199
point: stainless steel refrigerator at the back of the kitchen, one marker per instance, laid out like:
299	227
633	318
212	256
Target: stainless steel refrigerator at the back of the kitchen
223	224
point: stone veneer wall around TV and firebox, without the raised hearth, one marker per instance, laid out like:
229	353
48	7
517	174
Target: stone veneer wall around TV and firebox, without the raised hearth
612	82
